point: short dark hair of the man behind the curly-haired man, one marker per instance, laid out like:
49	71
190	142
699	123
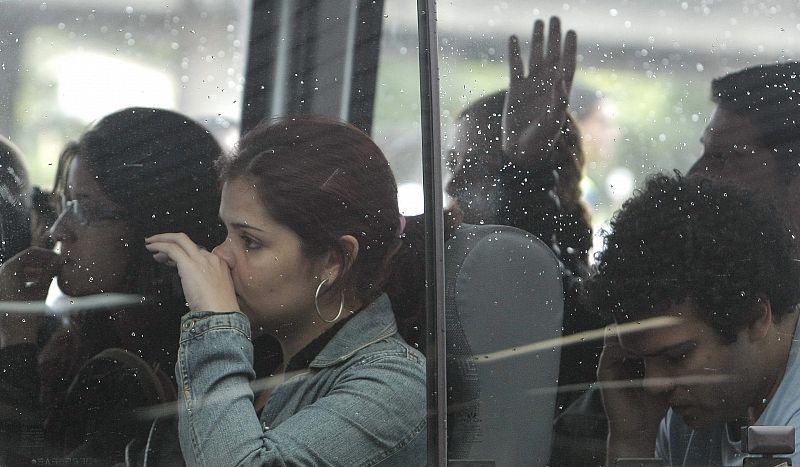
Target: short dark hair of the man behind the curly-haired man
769	96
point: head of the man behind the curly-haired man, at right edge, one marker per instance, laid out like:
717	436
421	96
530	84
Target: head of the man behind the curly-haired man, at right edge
753	138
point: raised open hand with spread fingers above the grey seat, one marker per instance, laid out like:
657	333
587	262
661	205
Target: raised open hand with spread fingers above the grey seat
535	107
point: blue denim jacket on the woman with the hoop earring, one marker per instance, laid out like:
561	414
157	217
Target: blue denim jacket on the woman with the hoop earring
360	402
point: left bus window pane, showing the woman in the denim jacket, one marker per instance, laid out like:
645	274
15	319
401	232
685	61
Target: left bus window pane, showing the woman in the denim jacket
144	127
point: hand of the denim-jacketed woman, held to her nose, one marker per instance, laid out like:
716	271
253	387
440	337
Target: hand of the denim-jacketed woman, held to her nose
205	276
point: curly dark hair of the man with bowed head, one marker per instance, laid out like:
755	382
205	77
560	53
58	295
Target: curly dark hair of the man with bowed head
685	239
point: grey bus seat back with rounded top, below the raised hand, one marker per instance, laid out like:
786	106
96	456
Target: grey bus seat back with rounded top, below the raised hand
504	293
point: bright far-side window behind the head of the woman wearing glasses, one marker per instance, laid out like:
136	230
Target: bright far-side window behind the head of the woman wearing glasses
67	64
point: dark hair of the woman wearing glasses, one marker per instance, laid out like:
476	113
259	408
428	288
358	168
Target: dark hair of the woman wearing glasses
158	165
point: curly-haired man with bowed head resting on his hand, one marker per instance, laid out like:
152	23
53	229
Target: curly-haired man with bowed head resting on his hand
716	263
